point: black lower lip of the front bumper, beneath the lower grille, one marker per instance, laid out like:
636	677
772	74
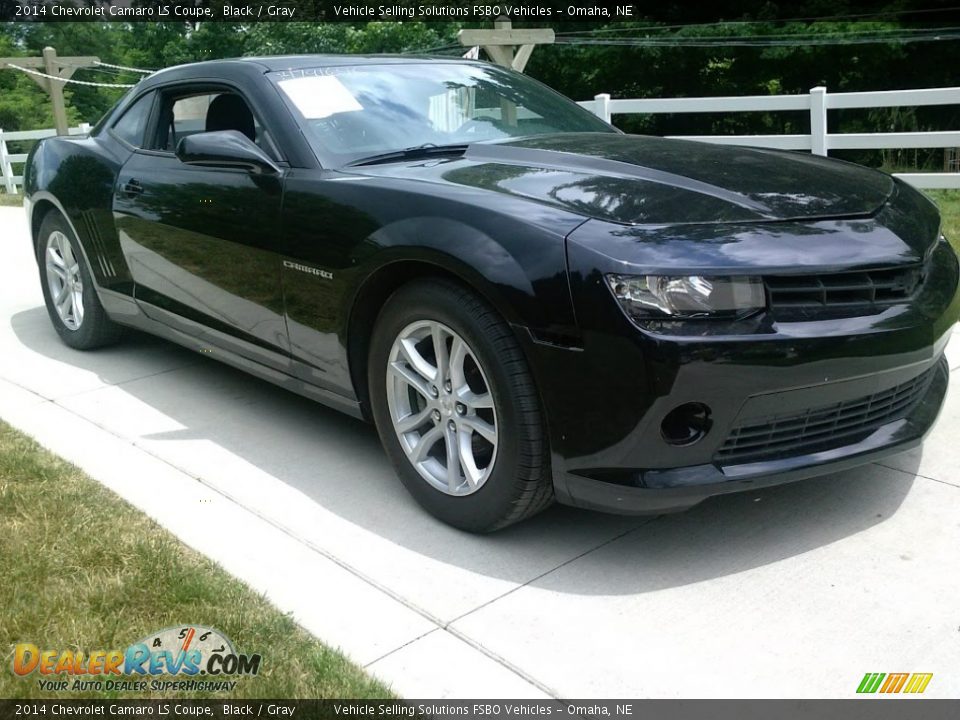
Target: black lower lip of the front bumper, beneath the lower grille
677	489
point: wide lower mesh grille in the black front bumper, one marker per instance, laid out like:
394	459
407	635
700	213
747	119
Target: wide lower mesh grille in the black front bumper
822	428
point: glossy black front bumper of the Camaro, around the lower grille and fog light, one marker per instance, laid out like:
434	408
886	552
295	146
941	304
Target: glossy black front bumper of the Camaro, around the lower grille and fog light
606	397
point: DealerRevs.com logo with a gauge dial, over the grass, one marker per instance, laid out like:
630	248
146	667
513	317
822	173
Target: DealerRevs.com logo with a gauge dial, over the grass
172	659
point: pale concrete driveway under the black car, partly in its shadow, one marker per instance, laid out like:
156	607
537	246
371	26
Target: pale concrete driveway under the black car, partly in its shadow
794	591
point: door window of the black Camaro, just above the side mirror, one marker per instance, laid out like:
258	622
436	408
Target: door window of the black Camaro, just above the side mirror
186	115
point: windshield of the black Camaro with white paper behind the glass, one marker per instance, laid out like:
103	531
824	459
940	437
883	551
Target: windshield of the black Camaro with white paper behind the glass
354	112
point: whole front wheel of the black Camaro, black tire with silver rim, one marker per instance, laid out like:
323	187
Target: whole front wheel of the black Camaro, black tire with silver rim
500	477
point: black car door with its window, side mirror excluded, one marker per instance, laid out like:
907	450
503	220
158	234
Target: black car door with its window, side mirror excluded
203	243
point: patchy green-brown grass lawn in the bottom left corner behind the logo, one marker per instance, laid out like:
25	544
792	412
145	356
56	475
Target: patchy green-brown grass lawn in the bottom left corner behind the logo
83	570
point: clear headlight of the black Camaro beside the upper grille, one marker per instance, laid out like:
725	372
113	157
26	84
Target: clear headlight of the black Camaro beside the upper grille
647	297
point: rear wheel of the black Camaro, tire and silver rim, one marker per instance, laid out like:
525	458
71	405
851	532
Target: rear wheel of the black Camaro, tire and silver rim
63	267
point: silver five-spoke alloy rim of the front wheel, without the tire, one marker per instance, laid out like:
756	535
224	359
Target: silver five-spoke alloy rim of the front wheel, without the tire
442	408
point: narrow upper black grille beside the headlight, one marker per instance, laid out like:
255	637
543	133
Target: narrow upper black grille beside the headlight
843	289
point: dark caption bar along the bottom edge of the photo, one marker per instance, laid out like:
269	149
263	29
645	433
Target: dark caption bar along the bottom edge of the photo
872	708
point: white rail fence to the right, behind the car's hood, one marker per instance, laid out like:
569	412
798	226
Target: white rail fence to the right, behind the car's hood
817	102
